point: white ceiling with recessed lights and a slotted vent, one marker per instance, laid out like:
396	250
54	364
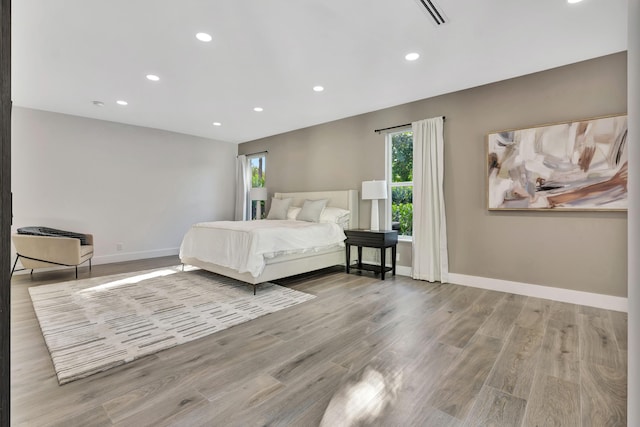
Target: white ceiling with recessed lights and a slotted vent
270	53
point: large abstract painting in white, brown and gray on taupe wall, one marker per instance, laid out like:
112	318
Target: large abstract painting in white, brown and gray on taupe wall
579	165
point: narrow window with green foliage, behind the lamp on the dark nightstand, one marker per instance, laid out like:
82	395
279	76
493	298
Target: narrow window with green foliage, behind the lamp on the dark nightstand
400	178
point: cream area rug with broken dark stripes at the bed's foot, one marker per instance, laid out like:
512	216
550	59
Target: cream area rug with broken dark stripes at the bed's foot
95	324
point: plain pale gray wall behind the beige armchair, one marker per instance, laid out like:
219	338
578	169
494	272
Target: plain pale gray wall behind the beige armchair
128	185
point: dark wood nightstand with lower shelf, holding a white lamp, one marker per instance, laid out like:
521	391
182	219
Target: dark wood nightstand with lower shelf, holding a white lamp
381	239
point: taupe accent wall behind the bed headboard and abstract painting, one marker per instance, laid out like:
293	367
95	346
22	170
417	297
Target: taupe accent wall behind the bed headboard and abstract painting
583	251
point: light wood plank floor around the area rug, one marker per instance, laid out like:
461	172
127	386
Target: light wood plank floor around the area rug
397	352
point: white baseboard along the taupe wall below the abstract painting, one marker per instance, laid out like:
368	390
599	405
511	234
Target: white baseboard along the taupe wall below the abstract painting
607	302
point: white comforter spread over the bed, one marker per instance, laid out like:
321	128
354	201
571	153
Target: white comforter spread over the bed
244	245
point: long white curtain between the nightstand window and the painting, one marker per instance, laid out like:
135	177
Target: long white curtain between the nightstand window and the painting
430	260
